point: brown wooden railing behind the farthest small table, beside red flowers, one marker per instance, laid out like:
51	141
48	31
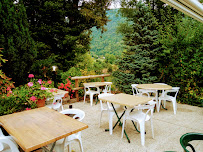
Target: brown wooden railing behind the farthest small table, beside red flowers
77	78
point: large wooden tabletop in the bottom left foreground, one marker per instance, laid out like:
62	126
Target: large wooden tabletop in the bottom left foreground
39	127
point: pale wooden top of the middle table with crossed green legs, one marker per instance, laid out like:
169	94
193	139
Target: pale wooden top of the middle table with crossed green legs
126	99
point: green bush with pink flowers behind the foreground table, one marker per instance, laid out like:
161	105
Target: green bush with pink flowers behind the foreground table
25	96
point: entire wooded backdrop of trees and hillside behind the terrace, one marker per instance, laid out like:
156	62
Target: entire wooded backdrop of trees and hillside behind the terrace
150	42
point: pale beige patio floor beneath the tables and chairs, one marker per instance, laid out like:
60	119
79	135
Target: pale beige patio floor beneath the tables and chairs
168	128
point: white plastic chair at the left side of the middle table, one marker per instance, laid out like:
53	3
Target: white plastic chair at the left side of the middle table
110	111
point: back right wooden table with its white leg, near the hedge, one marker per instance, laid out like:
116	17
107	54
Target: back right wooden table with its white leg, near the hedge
156	87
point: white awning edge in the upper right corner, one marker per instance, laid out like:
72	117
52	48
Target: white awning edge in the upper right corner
192	8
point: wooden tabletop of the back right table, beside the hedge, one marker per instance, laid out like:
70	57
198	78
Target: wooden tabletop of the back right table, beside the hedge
154	86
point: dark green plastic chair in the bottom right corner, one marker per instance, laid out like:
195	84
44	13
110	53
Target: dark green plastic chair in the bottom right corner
186	138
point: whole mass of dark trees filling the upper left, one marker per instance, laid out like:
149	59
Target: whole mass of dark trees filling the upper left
50	33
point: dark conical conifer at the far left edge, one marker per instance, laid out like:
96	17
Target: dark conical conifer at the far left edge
19	47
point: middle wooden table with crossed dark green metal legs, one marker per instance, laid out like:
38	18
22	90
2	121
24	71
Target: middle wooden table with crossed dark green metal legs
124	100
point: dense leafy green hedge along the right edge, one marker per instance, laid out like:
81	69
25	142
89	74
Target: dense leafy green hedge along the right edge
181	61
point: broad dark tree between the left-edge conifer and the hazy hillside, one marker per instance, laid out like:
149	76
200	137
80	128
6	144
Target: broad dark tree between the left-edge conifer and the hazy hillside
63	28
